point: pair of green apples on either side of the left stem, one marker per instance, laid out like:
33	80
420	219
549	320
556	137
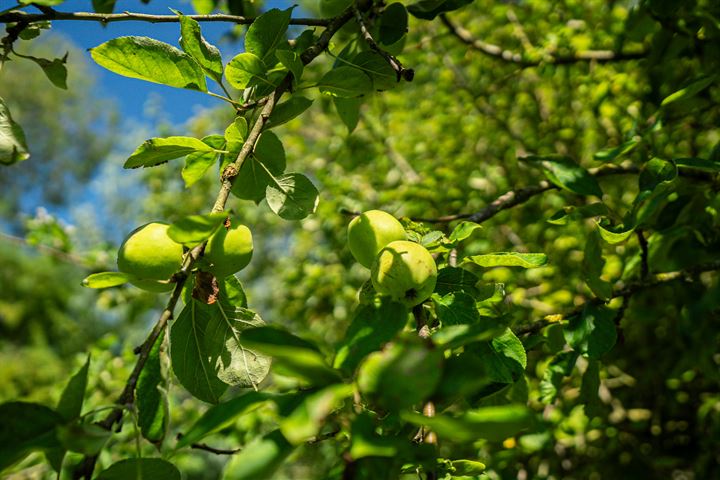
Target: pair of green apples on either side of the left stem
151	257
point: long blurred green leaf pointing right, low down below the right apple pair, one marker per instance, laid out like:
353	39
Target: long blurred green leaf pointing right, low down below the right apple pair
490	423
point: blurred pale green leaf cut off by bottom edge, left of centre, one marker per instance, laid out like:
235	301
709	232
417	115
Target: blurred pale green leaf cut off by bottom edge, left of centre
260	458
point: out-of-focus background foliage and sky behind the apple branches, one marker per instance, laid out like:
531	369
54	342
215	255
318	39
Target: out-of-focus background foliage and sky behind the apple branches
447	143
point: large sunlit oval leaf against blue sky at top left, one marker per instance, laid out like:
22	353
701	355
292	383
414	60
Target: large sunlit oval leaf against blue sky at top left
150	60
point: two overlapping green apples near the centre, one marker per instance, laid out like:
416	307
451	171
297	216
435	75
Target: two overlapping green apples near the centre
400	269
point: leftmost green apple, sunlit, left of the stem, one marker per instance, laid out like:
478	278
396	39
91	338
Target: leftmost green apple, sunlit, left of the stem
149	254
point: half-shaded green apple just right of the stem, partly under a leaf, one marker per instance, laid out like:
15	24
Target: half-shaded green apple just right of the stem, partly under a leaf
229	250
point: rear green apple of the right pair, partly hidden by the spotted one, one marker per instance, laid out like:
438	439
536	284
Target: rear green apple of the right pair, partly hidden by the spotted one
368	233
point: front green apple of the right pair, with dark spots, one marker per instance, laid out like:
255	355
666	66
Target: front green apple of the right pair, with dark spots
405	271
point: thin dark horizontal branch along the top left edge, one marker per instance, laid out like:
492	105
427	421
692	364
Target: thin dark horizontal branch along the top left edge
51	14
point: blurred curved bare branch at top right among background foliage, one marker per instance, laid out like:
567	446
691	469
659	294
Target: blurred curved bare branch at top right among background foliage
500	53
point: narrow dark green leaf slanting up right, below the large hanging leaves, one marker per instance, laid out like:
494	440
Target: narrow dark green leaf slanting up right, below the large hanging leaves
222	415
